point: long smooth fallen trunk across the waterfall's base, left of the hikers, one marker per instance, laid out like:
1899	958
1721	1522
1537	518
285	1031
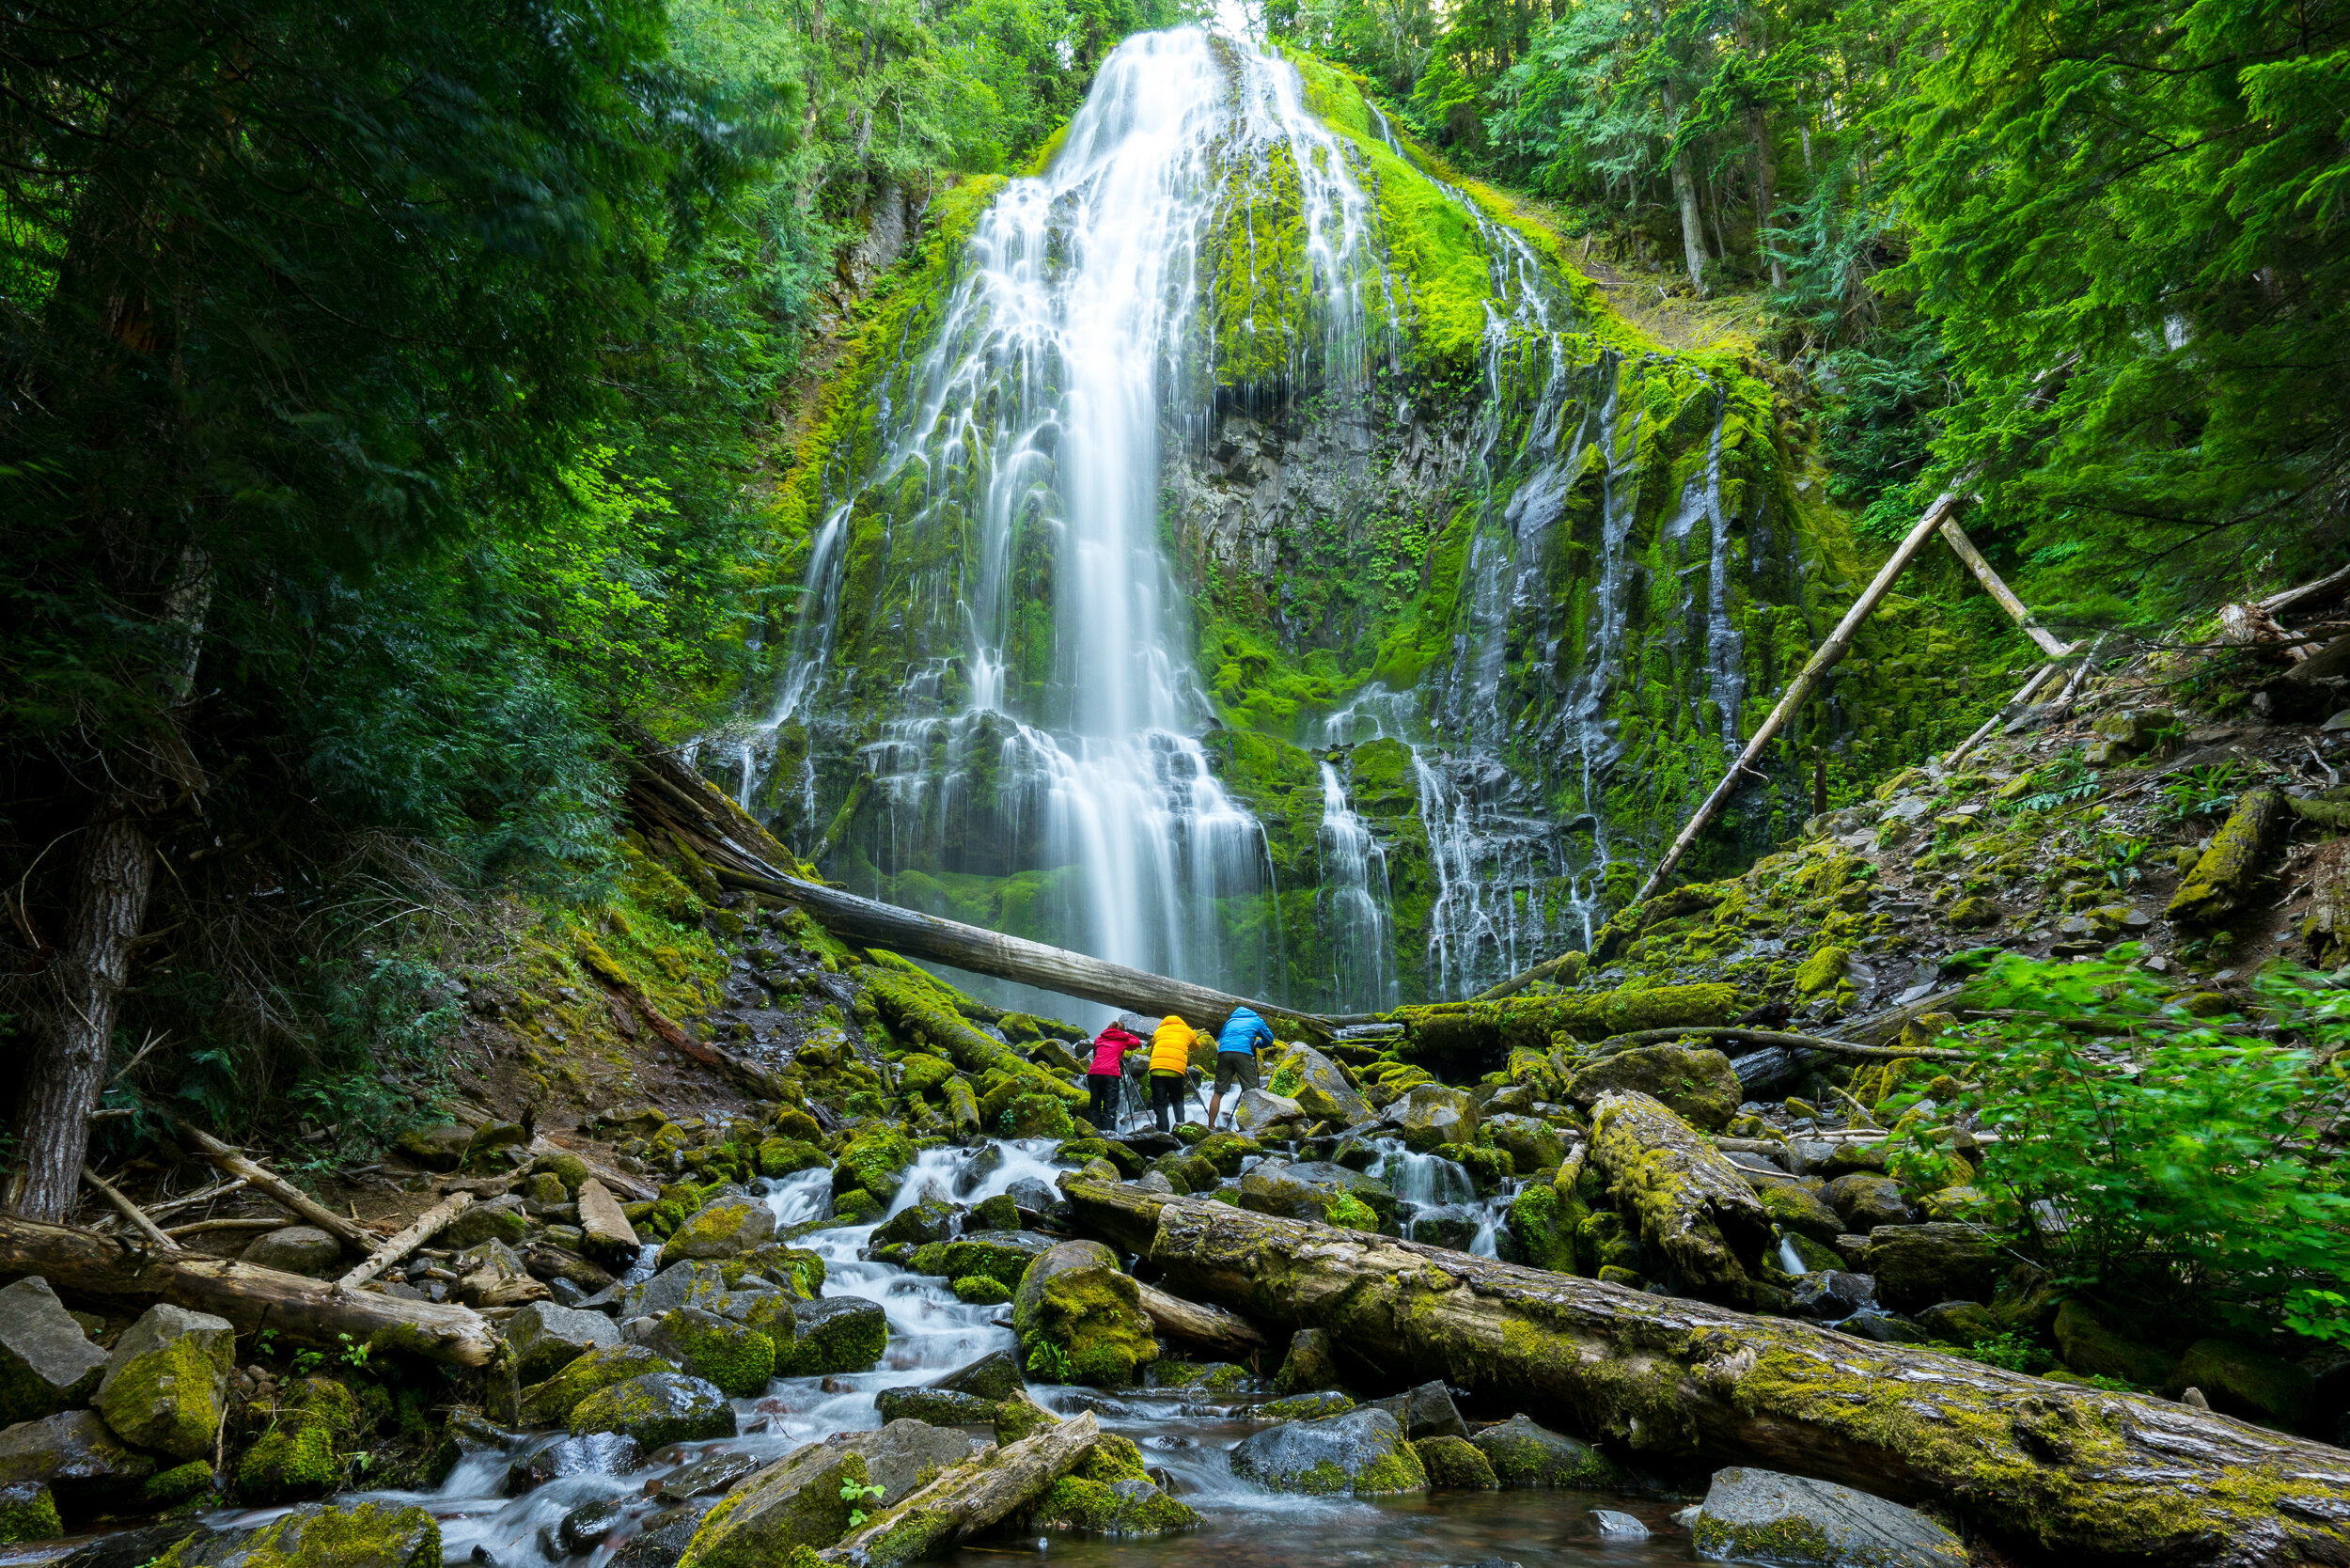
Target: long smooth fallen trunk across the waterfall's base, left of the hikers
687	808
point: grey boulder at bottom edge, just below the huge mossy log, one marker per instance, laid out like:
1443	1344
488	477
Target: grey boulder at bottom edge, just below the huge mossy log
1759	1515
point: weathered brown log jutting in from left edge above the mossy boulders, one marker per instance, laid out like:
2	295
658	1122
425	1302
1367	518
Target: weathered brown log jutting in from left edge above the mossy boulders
253	1299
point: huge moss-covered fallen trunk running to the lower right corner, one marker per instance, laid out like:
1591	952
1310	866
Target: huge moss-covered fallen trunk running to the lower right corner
2119	1477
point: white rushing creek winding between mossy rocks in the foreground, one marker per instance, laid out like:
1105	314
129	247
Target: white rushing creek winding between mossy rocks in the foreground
1188	1433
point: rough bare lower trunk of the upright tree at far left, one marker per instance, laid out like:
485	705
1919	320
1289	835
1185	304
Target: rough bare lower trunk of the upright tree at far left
112	883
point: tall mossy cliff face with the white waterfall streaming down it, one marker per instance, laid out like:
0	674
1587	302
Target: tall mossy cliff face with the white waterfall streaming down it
1298	582
